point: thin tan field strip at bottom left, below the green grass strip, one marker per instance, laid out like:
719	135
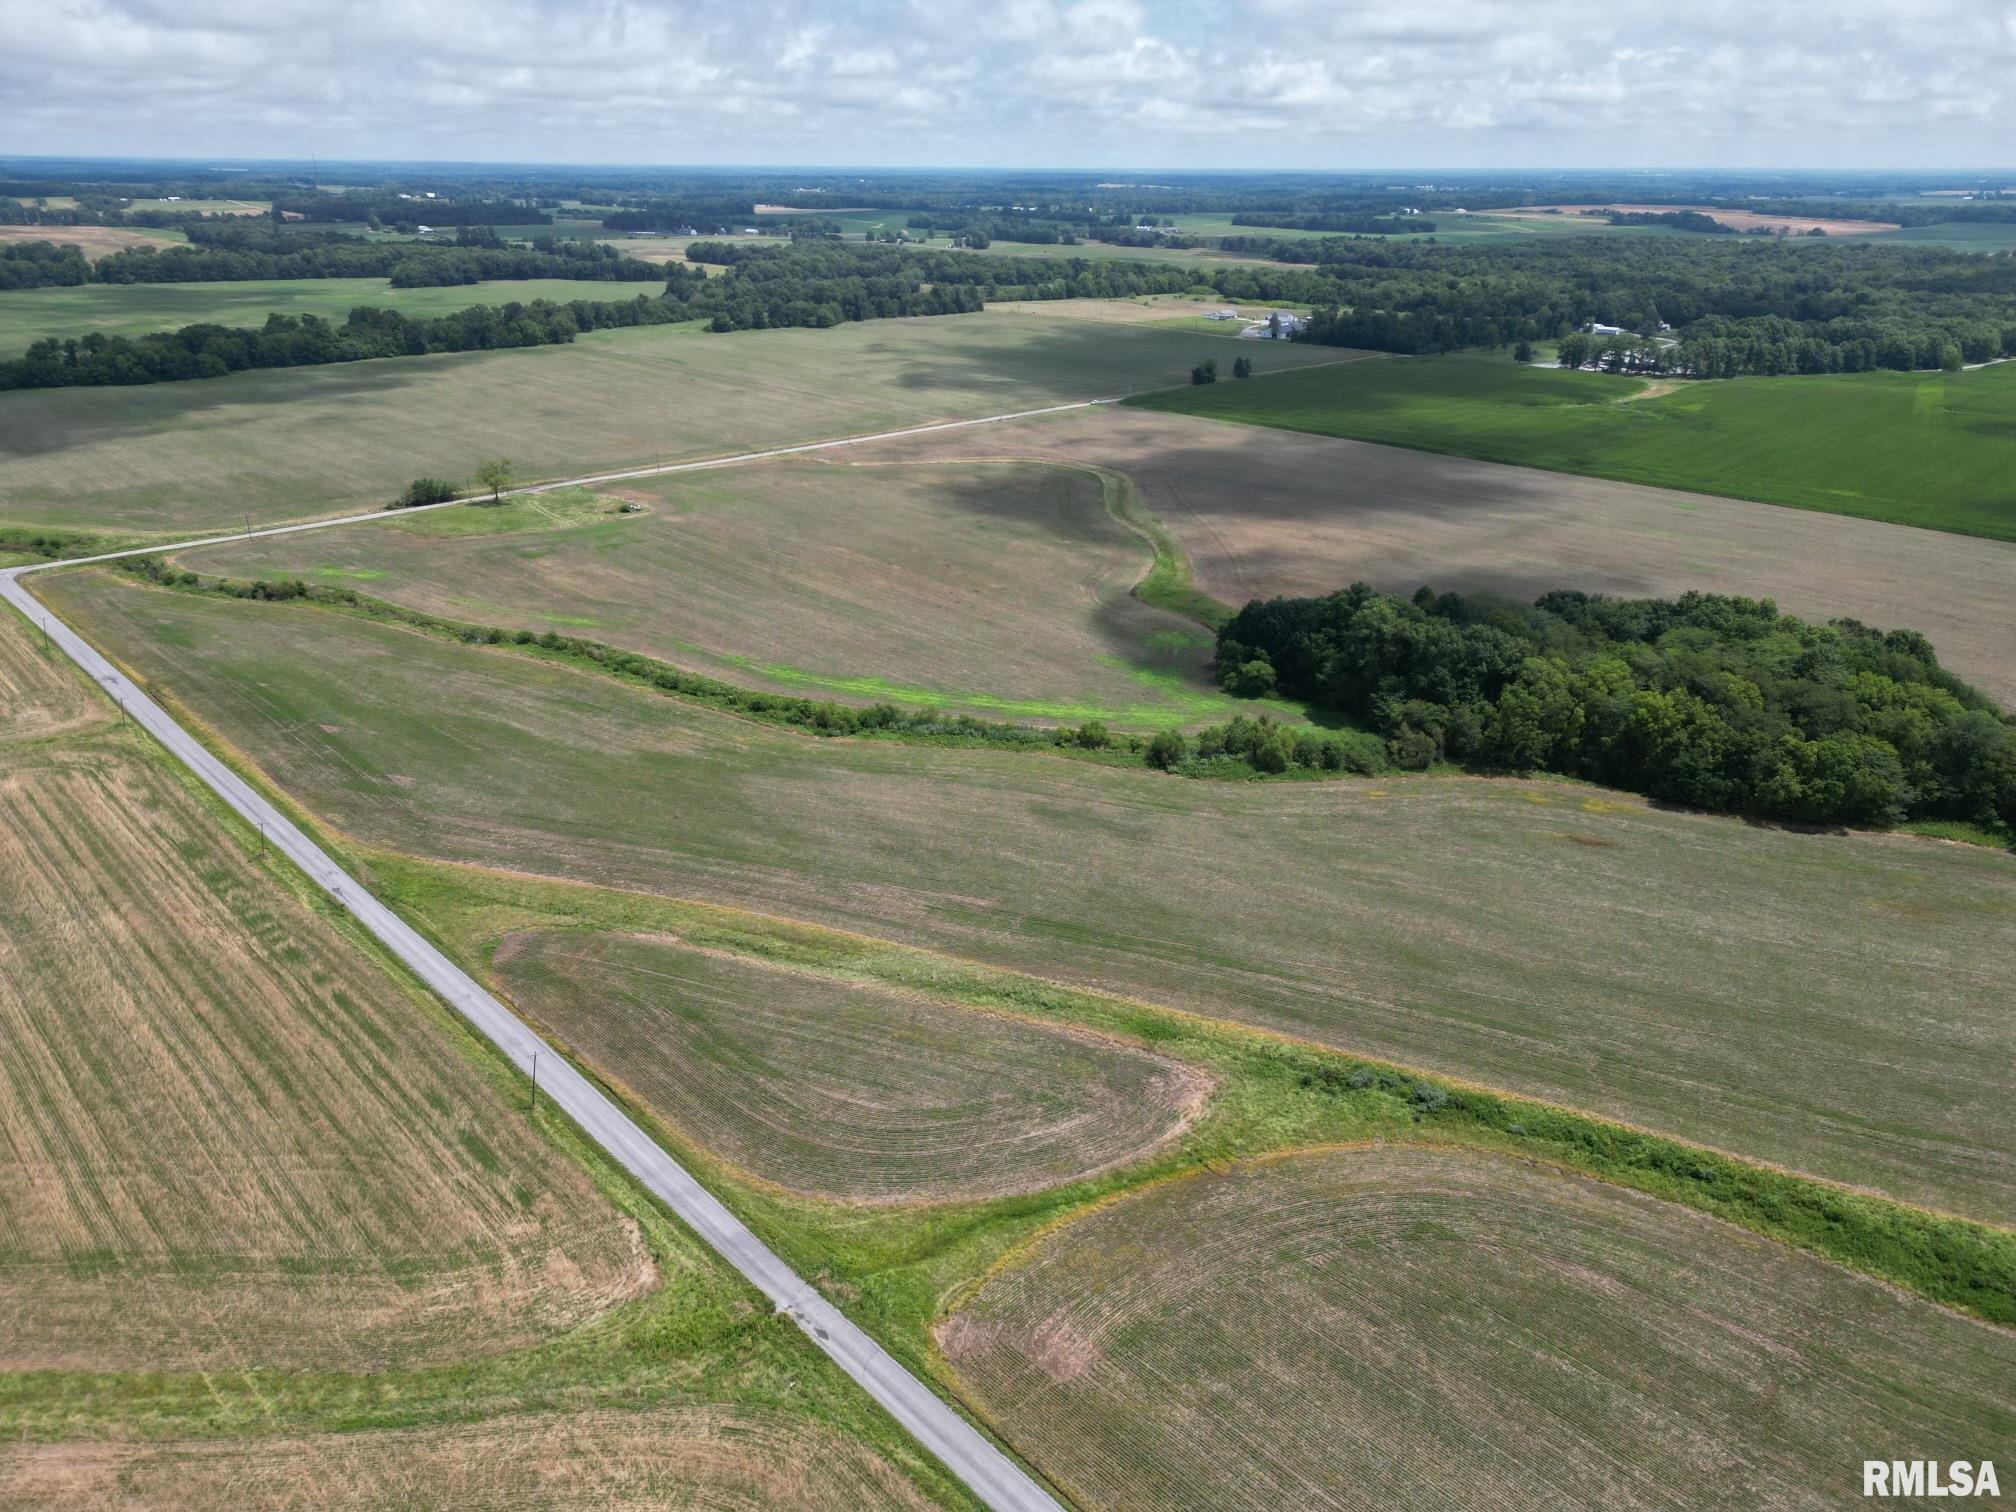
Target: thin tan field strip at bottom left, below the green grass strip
686	1457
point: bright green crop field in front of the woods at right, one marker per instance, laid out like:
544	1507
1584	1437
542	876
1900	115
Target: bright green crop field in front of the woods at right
1914	449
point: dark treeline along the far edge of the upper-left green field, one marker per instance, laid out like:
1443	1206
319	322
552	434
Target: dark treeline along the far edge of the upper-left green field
237	255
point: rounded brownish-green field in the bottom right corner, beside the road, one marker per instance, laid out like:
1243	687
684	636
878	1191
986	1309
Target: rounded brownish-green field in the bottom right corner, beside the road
1418	1328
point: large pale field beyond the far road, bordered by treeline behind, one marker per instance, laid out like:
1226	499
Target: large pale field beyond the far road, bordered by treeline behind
311	440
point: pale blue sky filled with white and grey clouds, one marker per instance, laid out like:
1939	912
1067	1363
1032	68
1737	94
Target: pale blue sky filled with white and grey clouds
1100	84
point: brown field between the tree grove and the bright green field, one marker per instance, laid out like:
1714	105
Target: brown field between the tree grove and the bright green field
1265	513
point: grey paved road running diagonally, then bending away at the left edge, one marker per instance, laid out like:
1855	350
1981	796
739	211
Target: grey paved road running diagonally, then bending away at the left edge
993	1477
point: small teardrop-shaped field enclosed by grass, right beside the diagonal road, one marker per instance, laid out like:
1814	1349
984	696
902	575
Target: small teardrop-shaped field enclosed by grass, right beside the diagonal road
836	1090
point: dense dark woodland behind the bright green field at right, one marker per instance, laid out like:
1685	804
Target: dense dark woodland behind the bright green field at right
1737	305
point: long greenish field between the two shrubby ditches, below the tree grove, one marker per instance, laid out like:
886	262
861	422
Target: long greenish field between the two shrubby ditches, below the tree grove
1828	1003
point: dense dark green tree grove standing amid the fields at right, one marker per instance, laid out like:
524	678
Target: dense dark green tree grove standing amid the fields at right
1703	701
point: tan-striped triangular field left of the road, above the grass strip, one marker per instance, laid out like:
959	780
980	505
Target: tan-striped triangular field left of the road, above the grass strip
229	1138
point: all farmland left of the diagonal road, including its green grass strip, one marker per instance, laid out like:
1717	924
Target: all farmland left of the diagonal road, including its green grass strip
273	1194
